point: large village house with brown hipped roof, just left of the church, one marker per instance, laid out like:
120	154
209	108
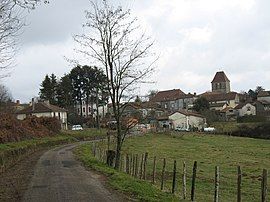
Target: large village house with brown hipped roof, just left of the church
173	100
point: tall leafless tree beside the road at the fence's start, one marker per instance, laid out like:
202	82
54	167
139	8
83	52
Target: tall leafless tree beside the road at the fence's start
114	40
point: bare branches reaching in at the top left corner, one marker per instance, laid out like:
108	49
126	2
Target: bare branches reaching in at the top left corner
11	23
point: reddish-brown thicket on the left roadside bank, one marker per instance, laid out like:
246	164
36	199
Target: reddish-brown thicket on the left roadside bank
12	129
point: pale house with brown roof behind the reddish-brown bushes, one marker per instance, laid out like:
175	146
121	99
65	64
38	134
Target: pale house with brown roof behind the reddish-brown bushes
44	109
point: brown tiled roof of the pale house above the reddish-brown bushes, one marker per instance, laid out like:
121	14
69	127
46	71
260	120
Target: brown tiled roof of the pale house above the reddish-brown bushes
41	107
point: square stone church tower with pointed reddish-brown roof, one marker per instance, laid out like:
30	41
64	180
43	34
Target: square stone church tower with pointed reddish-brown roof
221	83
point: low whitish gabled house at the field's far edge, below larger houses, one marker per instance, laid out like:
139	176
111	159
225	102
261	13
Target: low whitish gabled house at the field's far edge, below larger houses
187	120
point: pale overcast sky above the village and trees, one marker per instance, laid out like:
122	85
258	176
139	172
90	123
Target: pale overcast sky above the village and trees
195	38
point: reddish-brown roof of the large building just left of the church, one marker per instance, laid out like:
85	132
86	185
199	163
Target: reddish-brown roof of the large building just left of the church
170	95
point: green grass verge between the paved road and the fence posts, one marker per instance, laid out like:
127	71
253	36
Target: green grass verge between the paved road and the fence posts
122	182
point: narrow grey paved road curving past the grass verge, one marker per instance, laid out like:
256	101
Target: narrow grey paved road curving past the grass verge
59	177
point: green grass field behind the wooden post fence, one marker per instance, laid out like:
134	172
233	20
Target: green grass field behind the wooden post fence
209	151
